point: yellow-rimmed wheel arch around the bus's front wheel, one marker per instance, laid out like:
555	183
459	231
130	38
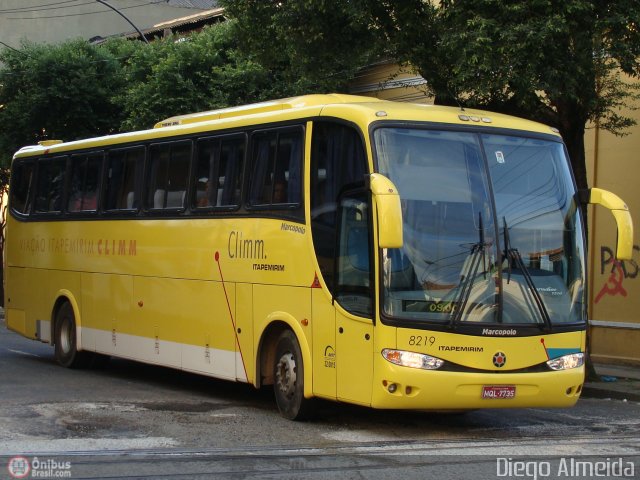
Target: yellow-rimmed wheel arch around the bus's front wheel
265	355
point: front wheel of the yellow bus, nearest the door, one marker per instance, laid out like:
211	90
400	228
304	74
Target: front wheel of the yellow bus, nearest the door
288	376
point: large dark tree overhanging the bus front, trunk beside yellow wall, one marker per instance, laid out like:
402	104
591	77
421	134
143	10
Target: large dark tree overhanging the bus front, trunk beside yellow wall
554	62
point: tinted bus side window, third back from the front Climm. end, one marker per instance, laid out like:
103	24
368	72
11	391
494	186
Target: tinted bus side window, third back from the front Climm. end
168	174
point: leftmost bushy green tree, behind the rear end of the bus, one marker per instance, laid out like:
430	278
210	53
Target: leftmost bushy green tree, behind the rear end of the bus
61	91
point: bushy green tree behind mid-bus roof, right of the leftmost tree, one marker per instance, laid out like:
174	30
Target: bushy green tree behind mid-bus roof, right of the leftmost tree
201	72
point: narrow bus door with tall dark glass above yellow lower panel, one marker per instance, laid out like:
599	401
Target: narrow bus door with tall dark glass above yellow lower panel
353	298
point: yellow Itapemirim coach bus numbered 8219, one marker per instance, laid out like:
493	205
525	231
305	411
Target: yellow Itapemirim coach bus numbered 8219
384	254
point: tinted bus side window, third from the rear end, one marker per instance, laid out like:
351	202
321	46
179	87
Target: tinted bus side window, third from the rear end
85	179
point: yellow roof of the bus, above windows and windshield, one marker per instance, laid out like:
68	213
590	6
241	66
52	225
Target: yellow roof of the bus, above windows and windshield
360	109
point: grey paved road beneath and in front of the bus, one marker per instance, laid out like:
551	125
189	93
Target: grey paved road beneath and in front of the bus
130	420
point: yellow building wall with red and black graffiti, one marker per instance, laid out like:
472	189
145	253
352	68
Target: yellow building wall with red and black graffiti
614	300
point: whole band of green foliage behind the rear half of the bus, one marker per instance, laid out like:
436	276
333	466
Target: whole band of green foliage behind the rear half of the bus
76	90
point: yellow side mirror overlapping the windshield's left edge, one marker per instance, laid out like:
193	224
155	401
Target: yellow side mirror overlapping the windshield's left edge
387	200
